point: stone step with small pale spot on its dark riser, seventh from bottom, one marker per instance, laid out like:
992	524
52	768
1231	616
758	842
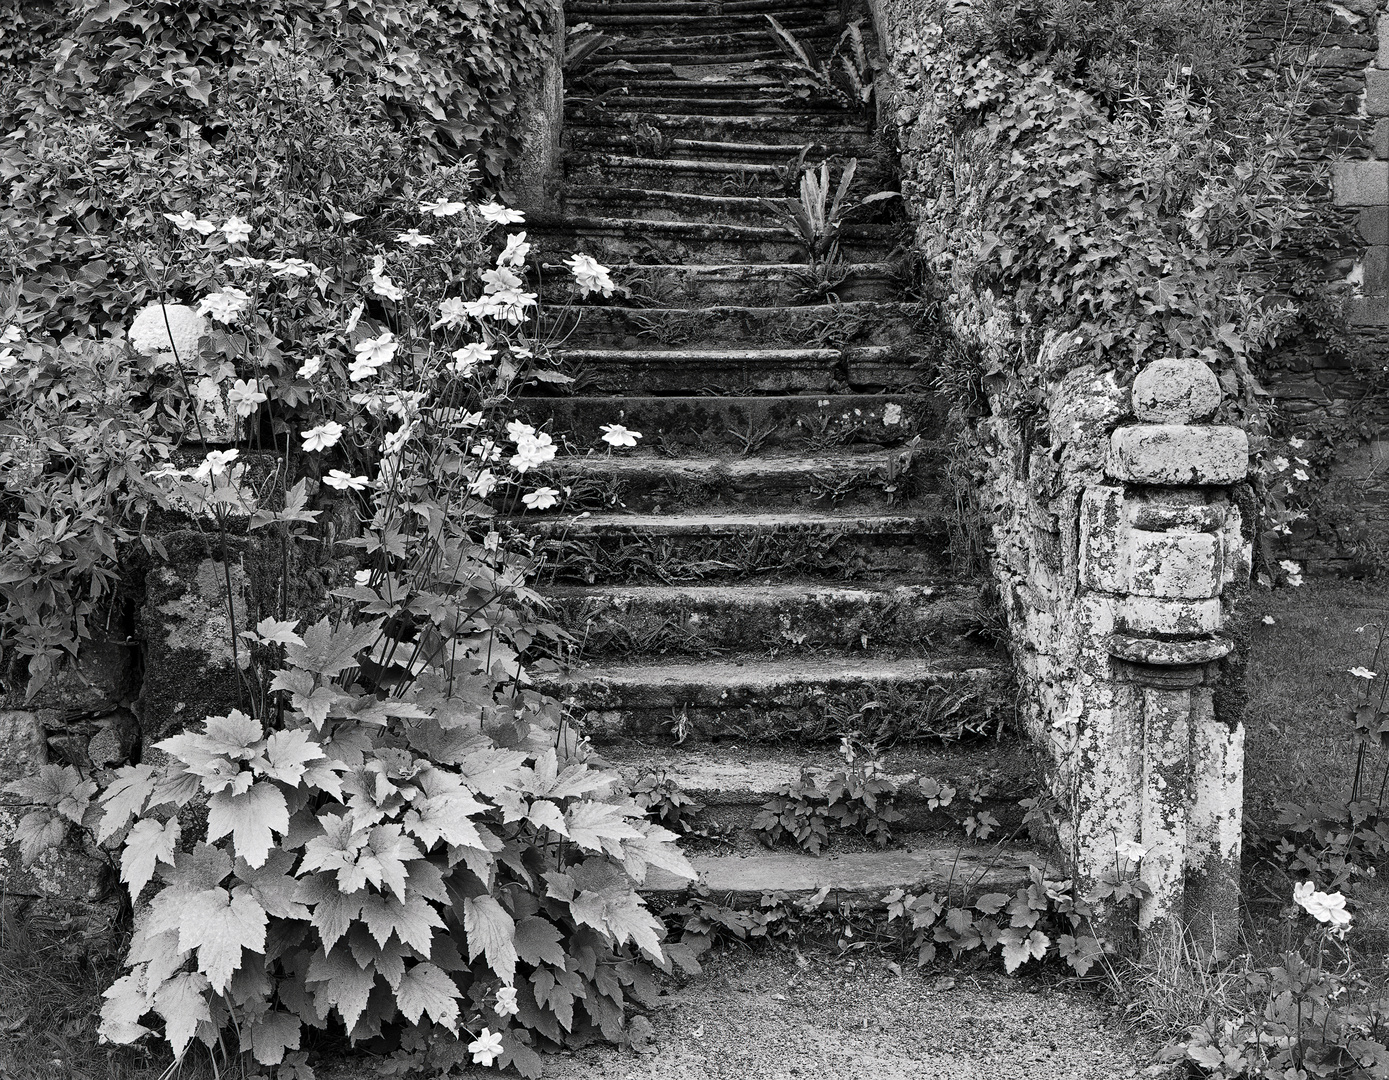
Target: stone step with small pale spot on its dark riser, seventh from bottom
730	424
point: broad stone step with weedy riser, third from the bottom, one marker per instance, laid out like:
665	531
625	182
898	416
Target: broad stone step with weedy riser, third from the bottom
805	700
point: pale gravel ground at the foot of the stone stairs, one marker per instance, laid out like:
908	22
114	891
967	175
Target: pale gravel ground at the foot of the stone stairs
777	1015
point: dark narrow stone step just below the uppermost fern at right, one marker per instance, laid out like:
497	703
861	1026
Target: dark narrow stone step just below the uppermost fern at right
791	131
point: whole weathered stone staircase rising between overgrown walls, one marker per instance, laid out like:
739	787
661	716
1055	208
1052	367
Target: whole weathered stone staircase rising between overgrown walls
769	570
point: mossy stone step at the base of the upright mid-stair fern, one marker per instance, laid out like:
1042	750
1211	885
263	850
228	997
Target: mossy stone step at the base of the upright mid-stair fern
758	285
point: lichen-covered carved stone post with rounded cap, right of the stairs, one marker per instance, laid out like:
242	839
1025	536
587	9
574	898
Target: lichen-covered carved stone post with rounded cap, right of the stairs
1165	546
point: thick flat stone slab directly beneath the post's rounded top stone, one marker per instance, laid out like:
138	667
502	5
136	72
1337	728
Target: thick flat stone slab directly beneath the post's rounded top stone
1179	455
